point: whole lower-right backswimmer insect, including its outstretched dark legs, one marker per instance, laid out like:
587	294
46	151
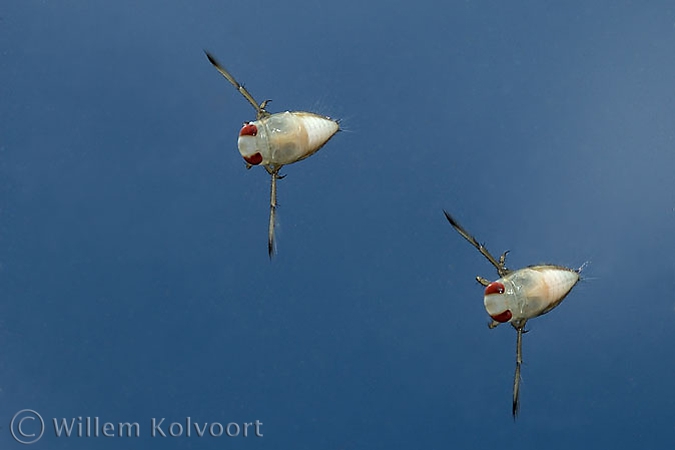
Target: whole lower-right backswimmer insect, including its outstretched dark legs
520	295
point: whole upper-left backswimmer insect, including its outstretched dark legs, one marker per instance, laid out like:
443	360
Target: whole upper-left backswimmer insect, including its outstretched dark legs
275	140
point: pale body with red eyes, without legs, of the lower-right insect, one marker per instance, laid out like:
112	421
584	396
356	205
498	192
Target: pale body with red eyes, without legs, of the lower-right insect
528	292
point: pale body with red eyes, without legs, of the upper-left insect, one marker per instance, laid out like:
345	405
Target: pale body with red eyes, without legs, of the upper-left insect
285	138
